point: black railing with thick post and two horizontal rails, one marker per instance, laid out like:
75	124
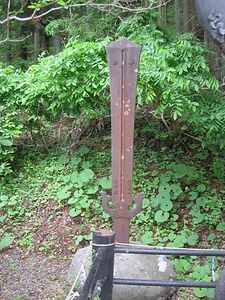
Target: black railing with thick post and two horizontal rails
100	279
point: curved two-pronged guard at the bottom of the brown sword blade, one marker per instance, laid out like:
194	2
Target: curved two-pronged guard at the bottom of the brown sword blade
121	209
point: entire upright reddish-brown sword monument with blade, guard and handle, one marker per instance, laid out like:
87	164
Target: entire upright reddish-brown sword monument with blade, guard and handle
123	60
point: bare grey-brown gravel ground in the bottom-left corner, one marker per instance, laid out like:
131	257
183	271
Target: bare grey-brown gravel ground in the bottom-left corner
26	276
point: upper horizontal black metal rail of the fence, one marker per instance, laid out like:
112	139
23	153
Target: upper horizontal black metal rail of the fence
188	252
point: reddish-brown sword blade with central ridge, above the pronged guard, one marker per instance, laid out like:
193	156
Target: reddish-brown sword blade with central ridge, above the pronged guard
123	58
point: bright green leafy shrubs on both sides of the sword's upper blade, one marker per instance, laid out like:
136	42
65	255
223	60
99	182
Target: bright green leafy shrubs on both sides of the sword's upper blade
175	85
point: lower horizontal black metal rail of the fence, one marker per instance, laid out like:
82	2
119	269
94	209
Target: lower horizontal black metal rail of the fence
163	283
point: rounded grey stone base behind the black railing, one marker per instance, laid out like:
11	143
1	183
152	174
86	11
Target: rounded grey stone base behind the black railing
129	266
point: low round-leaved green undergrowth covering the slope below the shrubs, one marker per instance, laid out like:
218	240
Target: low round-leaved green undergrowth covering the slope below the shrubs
183	204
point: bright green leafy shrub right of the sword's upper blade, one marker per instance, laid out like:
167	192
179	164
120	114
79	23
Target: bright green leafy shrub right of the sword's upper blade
175	83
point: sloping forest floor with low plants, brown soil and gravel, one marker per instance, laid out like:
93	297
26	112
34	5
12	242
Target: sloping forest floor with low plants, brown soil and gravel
37	214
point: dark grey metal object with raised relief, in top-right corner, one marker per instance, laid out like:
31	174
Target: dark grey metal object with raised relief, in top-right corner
212	16
